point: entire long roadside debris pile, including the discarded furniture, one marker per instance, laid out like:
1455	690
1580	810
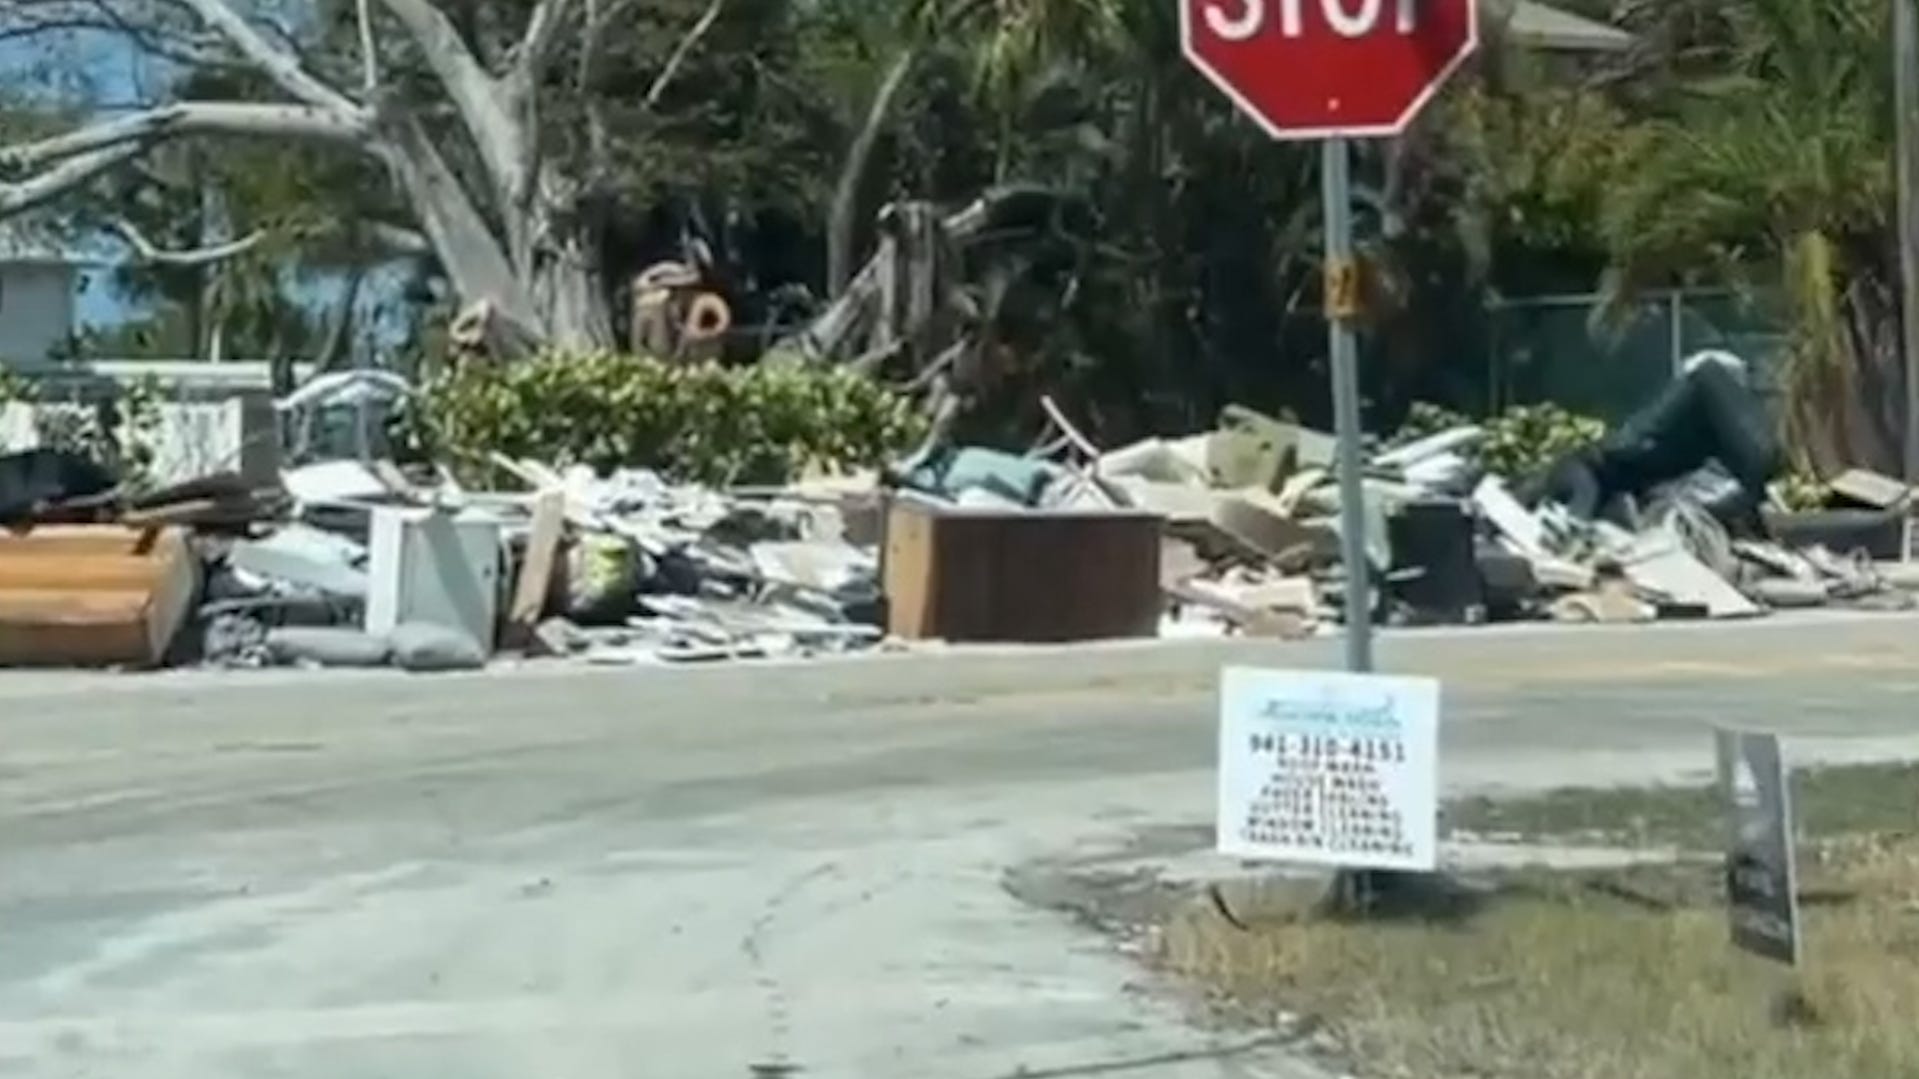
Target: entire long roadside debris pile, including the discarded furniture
1225	533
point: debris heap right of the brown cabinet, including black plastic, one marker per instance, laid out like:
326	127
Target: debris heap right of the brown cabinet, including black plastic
1674	516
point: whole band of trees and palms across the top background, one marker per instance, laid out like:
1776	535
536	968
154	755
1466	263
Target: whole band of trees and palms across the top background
538	153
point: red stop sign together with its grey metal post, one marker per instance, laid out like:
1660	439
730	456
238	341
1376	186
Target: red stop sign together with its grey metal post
1335	70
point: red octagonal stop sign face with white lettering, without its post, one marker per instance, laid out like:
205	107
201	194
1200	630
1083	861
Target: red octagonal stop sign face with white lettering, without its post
1329	68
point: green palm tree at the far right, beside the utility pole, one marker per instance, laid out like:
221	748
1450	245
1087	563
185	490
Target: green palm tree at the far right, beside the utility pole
1776	164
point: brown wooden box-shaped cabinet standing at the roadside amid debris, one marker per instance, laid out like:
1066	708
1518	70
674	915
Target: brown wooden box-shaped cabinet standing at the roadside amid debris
997	575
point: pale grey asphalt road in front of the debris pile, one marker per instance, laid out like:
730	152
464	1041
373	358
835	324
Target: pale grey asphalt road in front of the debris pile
571	873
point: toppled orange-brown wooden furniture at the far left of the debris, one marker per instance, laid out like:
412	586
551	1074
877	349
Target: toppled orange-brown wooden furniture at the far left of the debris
93	594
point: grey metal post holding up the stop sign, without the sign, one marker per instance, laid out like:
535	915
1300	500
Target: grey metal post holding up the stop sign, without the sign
1342	306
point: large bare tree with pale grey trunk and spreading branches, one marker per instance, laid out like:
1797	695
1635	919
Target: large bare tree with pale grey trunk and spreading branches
450	99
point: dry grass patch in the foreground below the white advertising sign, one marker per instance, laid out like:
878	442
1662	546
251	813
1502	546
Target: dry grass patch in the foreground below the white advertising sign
1623	976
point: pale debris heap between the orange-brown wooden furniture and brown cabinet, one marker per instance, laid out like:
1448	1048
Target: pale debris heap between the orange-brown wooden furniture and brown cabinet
609	569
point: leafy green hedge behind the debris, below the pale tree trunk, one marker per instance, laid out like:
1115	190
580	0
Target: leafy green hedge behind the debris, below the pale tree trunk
707	423
